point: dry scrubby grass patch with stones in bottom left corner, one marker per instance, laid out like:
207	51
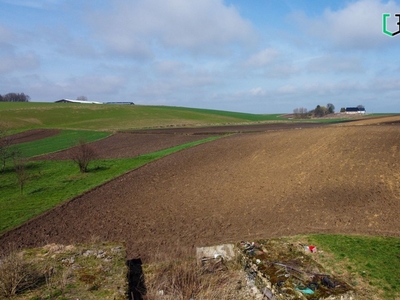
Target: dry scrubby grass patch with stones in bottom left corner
94	271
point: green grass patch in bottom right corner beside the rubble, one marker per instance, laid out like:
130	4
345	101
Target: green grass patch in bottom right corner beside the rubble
370	262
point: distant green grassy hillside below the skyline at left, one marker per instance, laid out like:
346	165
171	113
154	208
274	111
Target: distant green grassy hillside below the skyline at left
24	116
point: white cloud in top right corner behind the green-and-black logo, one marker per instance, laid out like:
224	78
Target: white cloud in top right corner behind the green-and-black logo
358	25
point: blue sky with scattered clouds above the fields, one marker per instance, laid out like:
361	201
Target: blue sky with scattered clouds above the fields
258	56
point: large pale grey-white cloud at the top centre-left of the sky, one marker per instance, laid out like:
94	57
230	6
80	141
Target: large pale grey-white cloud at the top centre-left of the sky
202	26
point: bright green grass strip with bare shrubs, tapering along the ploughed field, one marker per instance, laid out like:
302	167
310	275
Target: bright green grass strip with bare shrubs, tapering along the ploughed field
52	182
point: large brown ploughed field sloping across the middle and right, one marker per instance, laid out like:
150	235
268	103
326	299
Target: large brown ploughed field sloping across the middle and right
255	185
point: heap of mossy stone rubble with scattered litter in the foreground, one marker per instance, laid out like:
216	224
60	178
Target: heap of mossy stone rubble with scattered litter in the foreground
281	271
